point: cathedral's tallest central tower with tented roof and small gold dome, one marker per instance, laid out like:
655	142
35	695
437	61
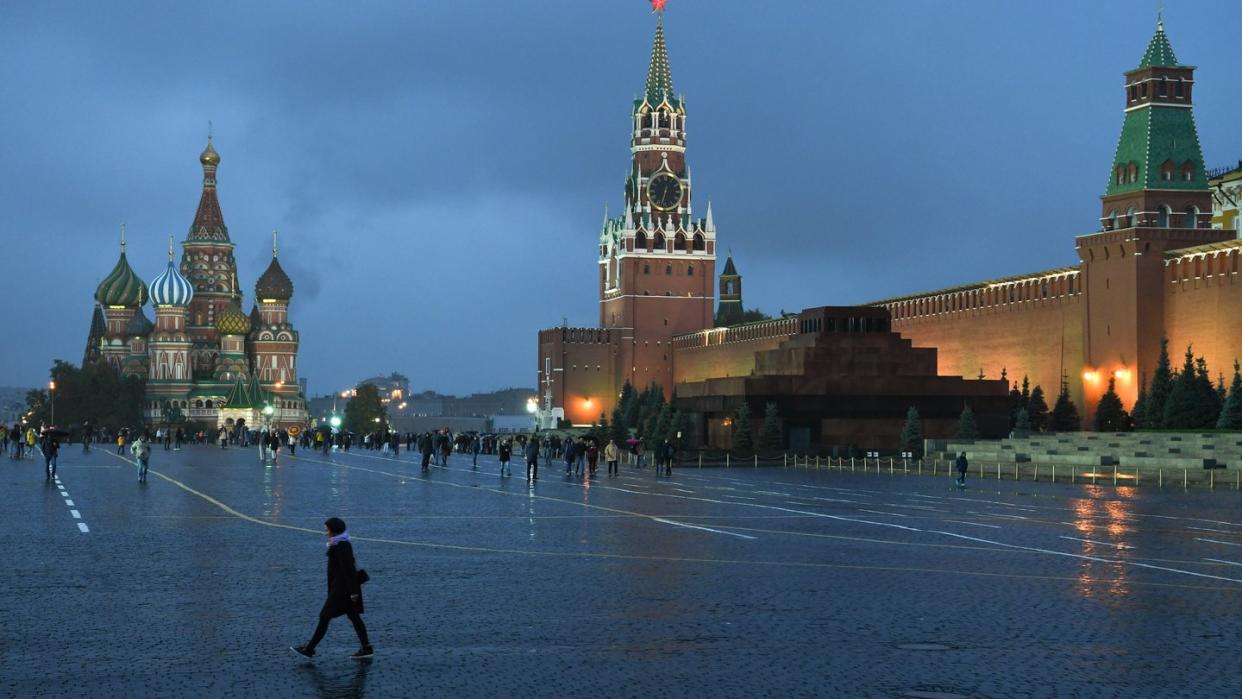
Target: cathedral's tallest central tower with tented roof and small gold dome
208	263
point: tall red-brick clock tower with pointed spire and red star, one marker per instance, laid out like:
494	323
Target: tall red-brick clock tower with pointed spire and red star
658	263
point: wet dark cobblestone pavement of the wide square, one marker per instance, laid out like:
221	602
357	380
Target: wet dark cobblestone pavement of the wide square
740	583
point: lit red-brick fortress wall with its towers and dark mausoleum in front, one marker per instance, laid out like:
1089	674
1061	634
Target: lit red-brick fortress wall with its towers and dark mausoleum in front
845	377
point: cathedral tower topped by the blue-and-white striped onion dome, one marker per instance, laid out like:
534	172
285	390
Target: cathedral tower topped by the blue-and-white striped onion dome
170	381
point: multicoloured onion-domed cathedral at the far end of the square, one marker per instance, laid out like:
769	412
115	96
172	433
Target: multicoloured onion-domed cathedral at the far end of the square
207	363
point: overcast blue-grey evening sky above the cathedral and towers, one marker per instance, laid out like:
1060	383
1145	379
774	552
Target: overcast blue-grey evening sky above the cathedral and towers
438	171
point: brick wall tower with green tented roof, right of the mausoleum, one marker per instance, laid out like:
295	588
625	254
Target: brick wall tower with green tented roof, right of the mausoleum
1157	201
